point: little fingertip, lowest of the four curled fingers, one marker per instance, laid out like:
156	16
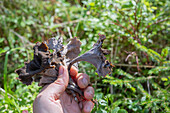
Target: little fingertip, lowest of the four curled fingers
87	106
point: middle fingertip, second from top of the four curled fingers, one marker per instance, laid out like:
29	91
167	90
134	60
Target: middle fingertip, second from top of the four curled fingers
82	80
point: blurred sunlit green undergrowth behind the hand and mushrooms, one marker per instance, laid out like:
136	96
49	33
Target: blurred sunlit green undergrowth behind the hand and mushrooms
138	35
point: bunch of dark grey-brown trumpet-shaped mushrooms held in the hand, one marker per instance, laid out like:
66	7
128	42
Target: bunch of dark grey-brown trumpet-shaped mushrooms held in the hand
50	54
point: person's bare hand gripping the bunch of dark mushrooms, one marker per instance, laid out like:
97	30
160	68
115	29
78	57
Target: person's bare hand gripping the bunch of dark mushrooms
54	99
